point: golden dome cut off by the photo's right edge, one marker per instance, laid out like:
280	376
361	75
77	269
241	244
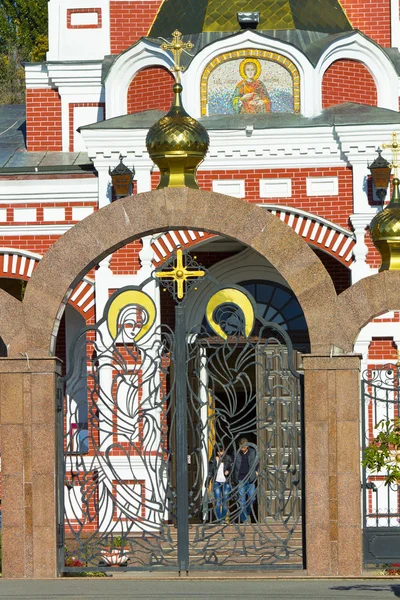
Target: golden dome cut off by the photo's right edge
385	231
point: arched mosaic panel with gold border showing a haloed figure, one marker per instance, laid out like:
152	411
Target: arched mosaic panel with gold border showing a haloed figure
250	81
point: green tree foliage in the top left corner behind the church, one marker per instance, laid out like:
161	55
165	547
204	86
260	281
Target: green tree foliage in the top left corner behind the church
23	38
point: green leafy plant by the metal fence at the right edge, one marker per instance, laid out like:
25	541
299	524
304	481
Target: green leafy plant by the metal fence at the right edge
383	453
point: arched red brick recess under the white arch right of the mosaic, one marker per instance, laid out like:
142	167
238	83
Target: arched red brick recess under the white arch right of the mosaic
348	81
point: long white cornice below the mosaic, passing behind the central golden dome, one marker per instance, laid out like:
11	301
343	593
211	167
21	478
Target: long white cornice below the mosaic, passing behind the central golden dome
305	147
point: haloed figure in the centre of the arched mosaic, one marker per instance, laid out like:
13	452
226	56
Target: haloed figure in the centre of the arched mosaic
250	94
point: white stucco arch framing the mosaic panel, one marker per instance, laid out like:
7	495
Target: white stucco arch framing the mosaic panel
247	38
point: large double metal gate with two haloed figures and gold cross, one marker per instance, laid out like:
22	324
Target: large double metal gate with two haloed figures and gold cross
147	408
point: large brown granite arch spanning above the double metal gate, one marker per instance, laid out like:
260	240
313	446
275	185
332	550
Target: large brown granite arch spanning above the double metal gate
107	230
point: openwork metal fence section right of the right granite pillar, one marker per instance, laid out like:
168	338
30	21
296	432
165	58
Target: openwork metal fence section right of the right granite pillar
381	508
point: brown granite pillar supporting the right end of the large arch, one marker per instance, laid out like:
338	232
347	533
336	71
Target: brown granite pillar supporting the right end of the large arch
332	465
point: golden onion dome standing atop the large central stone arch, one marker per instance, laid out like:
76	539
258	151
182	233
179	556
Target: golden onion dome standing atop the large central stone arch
177	144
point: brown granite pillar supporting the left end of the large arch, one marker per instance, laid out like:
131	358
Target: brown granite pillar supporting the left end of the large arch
28	448
